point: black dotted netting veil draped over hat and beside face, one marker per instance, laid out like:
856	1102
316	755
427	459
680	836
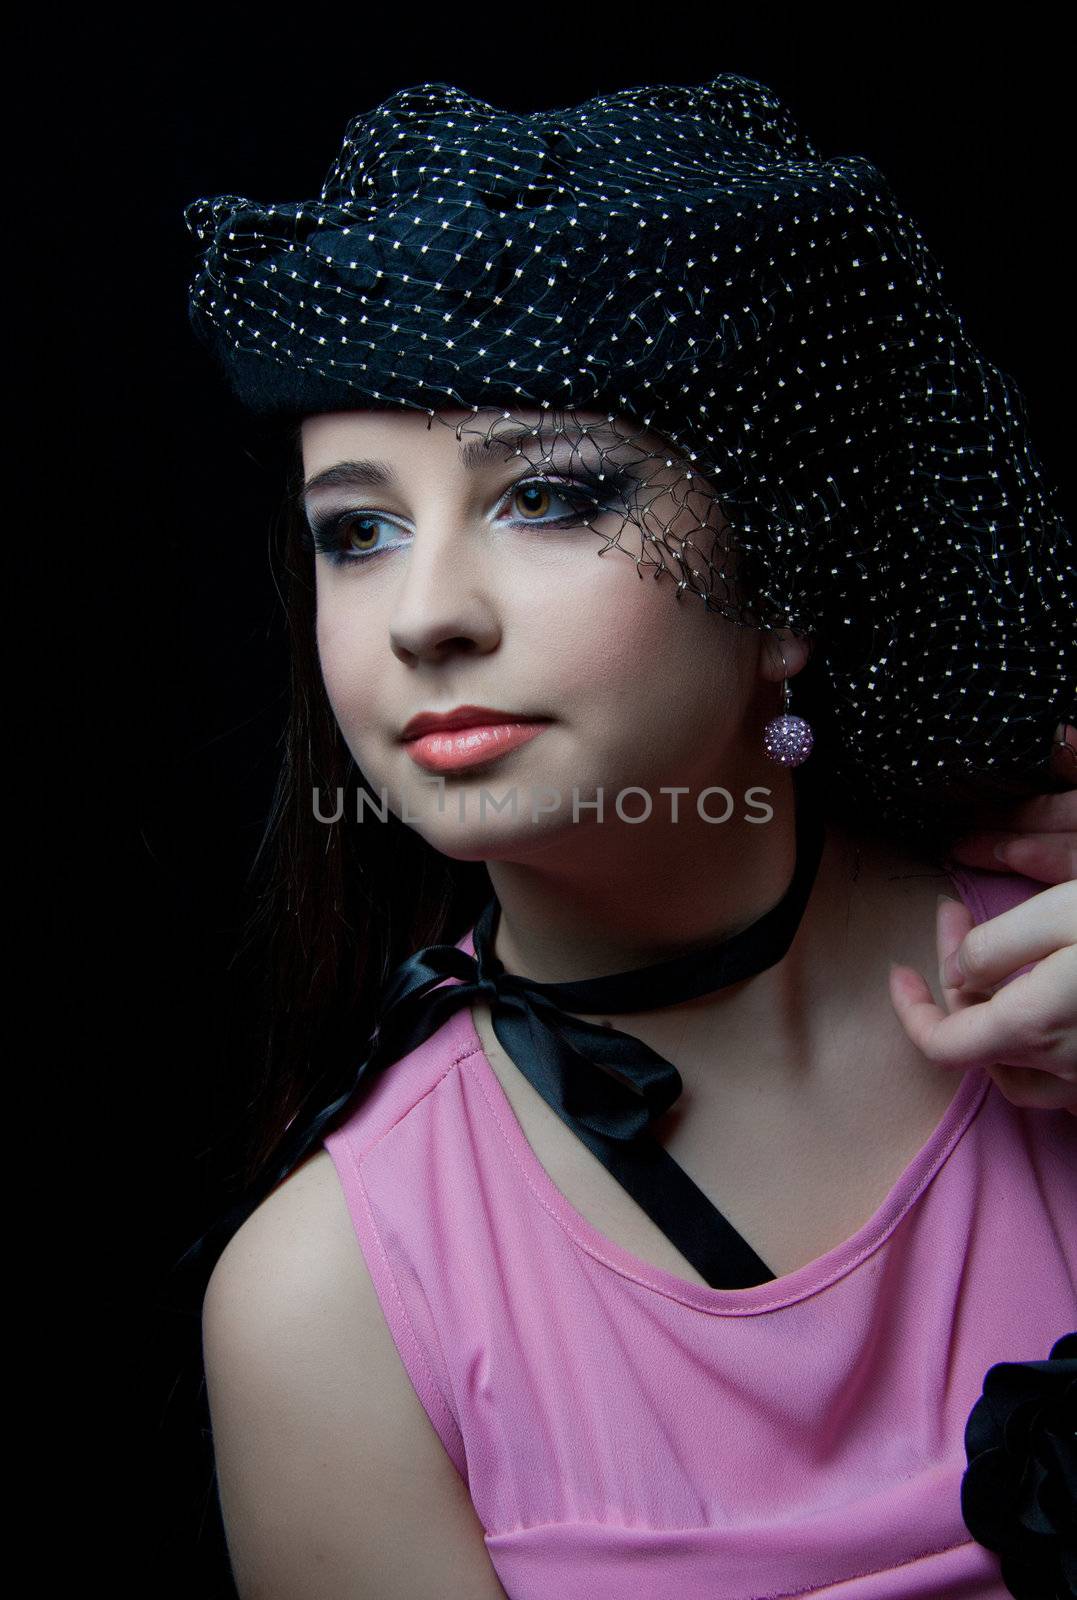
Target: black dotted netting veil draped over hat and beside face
731	358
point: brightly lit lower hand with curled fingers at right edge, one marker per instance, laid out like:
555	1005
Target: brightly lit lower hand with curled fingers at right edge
1020	1026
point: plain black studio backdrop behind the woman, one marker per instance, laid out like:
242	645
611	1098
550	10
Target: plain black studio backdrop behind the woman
154	634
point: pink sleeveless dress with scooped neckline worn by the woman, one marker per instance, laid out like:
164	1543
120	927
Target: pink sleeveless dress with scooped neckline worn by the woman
627	1434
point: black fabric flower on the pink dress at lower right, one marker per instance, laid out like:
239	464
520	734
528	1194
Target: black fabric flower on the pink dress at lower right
1020	1489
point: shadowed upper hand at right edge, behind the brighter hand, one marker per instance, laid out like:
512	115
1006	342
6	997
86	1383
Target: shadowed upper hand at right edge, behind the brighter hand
1039	836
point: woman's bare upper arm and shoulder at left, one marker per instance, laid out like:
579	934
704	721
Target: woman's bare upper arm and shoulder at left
334	1482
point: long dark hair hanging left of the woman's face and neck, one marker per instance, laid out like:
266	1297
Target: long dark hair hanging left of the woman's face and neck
337	906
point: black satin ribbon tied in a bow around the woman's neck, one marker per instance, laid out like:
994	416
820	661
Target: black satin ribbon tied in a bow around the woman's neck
606	1086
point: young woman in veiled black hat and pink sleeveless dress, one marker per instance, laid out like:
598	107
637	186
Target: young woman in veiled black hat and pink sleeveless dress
713	1329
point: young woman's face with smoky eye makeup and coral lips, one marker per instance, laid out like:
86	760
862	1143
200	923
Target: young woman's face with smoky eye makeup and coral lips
486	588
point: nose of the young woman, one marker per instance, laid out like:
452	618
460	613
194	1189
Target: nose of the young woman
444	602
